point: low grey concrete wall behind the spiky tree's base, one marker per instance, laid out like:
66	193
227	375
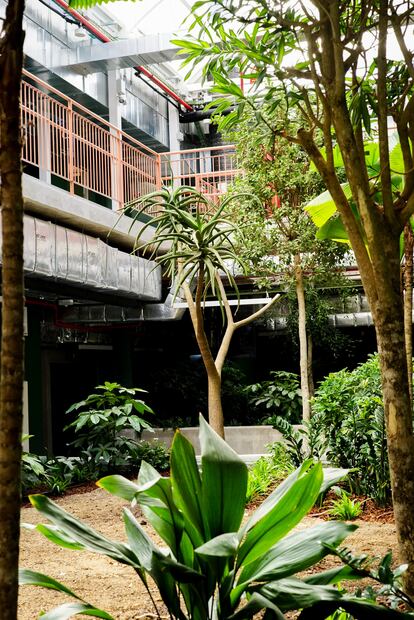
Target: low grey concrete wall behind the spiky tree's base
243	439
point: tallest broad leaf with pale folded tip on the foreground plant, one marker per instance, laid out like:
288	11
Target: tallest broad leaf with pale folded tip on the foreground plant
224	484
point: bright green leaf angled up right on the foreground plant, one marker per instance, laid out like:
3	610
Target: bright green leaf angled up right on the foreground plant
292	503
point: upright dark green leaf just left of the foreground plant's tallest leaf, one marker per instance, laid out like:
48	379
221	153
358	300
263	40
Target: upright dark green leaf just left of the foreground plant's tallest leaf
186	486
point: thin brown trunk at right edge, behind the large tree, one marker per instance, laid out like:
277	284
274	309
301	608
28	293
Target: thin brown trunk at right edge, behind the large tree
408	302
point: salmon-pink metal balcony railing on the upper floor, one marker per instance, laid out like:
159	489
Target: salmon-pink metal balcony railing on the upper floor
68	145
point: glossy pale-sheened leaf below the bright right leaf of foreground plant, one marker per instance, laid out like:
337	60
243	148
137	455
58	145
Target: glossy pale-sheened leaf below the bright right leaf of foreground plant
296	553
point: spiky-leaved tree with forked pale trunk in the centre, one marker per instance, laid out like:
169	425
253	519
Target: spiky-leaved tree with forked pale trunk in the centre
200	249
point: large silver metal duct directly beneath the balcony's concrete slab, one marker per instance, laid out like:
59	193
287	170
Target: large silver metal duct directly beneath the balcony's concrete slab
62	254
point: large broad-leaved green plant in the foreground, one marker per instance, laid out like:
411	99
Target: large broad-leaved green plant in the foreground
213	562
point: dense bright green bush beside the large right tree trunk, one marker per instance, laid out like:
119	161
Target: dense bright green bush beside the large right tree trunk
348	411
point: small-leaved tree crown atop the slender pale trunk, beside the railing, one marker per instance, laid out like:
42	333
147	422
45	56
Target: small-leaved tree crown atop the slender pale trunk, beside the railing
278	175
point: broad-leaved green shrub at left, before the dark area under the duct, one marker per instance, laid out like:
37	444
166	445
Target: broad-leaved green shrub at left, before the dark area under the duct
102	422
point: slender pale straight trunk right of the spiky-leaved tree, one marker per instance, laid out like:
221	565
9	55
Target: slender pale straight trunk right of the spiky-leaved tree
303	345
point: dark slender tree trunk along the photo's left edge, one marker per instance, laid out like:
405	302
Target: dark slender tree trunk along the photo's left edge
11	377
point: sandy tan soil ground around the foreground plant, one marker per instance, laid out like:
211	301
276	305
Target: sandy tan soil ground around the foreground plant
116	588
